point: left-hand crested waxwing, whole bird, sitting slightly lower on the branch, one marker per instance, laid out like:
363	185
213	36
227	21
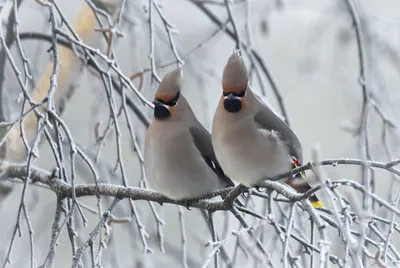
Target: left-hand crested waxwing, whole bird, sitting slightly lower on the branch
178	156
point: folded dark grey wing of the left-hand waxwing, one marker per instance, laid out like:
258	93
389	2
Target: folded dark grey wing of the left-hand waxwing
202	140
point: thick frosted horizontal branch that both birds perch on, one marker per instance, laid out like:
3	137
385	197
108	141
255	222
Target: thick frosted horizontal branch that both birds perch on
63	189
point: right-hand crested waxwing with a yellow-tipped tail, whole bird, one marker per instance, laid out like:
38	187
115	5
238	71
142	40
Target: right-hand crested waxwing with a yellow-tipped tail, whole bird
250	141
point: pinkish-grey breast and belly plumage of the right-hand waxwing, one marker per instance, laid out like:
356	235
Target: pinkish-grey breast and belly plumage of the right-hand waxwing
247	148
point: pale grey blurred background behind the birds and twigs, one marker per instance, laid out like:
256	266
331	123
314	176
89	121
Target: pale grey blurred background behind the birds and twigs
312	55
